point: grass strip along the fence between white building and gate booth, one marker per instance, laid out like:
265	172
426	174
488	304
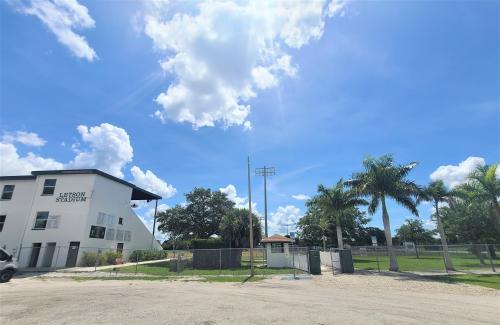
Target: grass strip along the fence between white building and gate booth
162	269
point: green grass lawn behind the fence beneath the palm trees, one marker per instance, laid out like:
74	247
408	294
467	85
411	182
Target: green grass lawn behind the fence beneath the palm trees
427	262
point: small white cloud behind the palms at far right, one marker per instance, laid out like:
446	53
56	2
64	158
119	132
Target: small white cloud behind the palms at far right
454	175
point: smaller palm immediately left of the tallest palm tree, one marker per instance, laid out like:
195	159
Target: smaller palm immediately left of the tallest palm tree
338	201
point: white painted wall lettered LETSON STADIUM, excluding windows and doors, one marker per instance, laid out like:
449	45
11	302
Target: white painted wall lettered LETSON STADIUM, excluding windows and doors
73	218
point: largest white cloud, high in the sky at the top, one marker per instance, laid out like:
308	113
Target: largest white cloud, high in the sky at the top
221	53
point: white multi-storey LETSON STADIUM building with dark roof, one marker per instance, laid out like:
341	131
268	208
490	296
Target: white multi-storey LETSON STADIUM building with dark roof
49	218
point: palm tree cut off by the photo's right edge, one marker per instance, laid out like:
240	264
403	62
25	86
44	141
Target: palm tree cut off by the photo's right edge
486	178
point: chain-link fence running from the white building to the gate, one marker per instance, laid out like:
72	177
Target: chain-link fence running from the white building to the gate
225	261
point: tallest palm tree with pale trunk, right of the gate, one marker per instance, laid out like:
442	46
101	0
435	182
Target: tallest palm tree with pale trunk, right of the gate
382	179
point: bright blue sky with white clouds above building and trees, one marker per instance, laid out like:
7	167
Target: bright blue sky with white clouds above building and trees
311	89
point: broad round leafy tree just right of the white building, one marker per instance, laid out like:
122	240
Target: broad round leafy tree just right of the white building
199	218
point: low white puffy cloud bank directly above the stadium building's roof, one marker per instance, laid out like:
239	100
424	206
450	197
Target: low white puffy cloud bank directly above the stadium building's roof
105	147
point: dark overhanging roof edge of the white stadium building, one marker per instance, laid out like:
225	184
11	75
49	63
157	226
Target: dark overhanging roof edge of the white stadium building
137	192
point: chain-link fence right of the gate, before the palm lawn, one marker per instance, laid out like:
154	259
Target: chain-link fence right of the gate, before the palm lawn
429	258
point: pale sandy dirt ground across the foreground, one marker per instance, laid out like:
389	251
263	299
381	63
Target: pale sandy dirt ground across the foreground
343	299
